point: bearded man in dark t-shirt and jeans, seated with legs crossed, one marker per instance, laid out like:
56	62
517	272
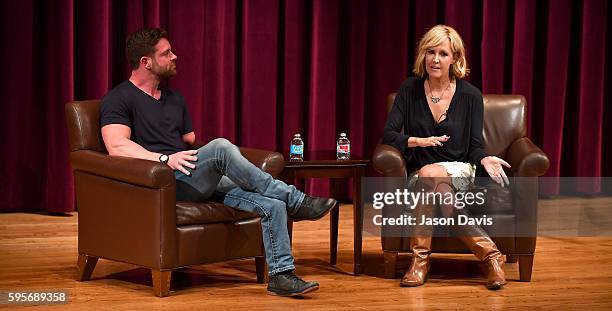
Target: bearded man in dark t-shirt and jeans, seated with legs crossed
142	119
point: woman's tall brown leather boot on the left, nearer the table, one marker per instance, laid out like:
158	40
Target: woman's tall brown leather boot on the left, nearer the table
420	245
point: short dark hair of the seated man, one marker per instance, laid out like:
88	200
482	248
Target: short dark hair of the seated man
142	43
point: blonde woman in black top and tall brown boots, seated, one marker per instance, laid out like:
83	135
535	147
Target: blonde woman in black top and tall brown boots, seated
437	122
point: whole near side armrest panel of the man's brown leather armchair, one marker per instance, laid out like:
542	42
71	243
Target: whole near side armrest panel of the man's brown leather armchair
133	222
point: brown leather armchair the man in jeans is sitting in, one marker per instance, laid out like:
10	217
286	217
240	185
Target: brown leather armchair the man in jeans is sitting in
128	210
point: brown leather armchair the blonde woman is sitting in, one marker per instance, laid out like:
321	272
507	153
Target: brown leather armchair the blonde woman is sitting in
505	136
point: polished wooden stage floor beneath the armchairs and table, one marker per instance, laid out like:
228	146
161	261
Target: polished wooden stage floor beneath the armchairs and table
39	252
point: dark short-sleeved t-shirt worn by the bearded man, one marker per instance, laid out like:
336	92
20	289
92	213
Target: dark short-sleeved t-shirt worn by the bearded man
156	125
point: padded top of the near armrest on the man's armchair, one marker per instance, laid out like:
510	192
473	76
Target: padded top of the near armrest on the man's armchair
131	170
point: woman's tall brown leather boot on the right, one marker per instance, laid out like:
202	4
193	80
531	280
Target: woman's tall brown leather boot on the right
479	242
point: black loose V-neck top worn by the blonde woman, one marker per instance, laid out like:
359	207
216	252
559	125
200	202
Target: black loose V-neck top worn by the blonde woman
411	116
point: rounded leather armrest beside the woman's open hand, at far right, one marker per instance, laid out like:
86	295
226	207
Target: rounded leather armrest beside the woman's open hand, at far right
527	159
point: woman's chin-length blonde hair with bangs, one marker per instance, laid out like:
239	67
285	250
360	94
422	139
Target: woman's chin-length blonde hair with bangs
434	37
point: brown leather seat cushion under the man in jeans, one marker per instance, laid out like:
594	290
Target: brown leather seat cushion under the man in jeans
192	213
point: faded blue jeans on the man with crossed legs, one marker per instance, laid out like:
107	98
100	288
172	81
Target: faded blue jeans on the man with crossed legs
224	175
